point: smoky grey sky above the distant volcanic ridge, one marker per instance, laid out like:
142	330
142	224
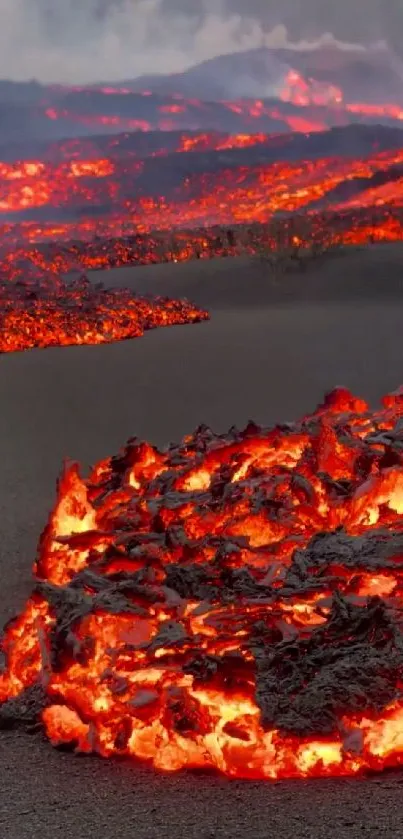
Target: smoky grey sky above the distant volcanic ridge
78	41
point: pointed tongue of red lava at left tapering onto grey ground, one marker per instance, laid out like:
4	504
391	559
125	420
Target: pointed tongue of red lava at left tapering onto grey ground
45	311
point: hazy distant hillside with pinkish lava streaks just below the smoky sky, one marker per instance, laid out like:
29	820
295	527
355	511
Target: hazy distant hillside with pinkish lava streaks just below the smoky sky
301	104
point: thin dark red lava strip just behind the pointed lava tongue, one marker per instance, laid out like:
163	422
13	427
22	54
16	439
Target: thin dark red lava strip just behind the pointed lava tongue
302	232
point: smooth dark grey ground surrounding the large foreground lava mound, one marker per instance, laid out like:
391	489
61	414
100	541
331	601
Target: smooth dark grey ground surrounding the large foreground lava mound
267	354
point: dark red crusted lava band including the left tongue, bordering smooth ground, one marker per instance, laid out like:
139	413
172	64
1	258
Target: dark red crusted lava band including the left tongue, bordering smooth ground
40	309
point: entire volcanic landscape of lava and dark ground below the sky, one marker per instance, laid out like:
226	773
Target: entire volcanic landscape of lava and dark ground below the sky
224	592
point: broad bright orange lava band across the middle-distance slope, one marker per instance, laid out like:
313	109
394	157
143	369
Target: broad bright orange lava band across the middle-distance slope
104	196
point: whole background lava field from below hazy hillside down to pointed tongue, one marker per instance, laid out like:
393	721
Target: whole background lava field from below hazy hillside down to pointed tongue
71	212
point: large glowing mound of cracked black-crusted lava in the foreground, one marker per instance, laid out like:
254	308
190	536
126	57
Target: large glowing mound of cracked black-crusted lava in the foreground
232	601
